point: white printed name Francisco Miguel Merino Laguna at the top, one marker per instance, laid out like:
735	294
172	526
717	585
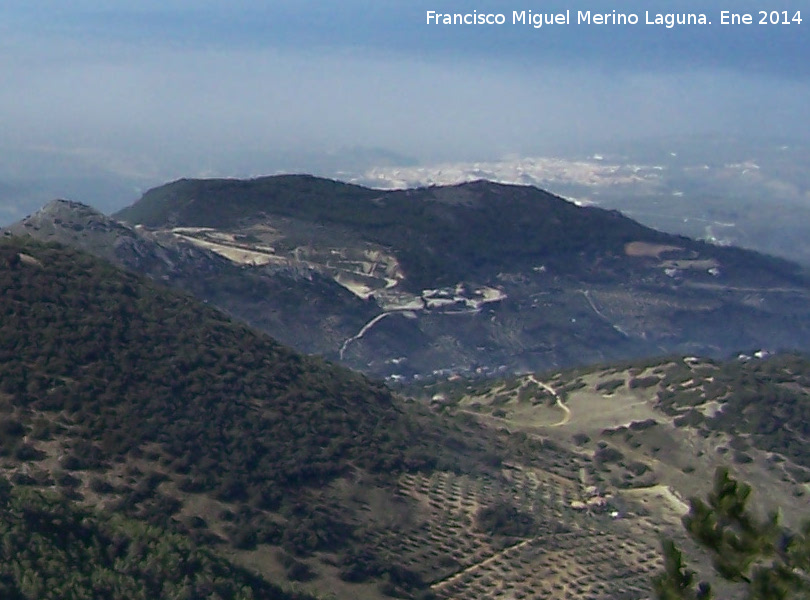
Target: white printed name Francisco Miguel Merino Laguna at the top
583	17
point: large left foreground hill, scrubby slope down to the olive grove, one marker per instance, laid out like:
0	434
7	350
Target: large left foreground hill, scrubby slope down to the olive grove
122	397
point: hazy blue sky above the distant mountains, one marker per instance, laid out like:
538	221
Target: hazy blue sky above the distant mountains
128	94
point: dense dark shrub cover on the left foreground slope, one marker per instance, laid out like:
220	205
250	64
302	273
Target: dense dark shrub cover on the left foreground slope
129	364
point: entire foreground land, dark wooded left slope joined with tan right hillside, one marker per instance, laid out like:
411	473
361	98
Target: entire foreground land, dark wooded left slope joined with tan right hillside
217	448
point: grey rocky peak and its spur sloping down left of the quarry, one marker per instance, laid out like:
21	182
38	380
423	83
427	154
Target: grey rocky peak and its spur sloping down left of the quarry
298	306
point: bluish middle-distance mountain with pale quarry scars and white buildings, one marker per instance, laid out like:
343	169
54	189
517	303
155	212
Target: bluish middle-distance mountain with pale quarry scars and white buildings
478	277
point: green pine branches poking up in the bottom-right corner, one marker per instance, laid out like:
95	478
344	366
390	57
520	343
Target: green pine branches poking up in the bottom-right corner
767	560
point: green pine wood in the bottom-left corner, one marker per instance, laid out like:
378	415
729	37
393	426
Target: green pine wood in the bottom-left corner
52	549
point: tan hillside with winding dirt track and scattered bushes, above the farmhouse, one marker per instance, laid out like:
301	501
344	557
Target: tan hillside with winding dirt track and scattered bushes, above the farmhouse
661	424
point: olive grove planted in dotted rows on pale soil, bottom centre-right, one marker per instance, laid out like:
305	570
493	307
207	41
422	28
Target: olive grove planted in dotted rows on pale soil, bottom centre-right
564	555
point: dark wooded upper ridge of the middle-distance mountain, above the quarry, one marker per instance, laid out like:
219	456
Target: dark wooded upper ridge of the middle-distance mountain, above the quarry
441	235
